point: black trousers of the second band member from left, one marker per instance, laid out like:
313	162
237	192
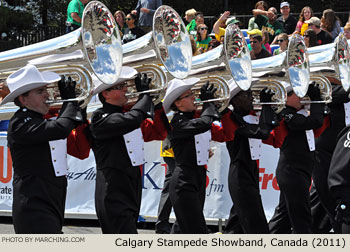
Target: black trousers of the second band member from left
118	200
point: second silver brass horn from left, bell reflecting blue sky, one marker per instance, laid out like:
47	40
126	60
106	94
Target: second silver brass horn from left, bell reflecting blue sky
163	53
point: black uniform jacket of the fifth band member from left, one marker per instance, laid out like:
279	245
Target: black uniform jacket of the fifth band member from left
295	149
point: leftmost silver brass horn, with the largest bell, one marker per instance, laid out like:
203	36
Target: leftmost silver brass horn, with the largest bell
95	48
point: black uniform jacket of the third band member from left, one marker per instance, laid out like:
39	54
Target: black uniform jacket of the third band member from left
185	127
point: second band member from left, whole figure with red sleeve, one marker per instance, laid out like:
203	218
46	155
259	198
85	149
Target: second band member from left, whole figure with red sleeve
118	140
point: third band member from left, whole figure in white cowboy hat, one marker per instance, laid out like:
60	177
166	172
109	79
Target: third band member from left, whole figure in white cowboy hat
190	137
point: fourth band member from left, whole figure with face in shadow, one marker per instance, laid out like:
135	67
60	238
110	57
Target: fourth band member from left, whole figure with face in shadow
247	130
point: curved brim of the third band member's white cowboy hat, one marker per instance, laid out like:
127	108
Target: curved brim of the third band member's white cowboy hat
172	94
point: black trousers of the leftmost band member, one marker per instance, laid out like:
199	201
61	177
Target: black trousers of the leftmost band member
38	204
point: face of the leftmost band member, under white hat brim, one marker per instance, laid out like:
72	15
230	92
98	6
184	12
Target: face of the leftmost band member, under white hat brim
35	100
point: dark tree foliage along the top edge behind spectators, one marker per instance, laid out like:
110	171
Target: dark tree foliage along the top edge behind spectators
53	12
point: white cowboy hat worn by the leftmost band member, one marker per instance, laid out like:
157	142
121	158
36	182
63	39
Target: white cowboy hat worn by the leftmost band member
25	79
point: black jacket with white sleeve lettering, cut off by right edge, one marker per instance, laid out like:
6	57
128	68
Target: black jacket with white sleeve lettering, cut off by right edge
339	171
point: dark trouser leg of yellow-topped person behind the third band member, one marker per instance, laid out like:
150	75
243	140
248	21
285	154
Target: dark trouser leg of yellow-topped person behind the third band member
164	208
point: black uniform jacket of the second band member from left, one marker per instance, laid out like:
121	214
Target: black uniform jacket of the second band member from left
108	125
